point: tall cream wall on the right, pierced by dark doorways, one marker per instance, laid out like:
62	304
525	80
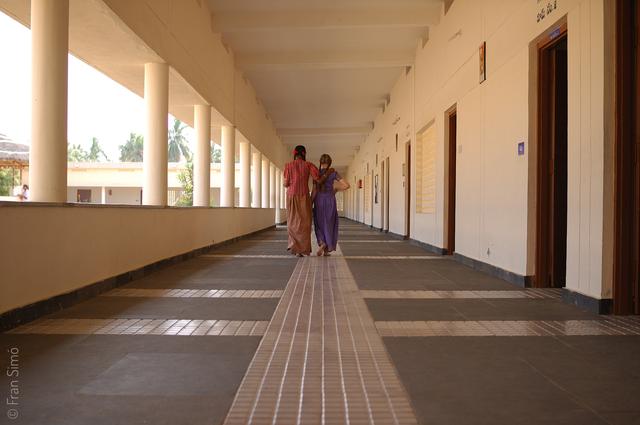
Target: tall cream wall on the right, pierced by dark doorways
495	206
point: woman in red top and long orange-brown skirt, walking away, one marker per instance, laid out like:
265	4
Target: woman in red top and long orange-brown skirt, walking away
296	180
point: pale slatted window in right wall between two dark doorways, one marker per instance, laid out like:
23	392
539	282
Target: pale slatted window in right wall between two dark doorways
426	170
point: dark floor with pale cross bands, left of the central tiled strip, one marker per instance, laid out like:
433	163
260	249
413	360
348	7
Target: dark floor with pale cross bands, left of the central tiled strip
171	348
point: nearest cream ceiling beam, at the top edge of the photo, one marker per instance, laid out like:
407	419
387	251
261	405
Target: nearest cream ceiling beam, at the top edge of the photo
266	20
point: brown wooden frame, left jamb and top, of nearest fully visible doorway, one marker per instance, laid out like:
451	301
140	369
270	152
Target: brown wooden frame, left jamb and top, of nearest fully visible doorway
542	222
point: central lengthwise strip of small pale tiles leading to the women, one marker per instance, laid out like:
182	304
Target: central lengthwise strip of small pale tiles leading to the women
321	360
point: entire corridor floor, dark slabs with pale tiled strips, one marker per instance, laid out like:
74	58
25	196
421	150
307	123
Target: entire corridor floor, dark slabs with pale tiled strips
381	332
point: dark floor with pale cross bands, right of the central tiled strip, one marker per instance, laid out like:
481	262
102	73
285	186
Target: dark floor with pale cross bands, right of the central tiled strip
472	349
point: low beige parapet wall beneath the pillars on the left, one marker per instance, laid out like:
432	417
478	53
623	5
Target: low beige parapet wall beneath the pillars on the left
51	250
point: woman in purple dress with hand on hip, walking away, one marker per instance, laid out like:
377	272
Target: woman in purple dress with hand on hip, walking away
325	211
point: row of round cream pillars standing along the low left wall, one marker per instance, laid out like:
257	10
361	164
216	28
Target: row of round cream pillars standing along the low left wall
48	157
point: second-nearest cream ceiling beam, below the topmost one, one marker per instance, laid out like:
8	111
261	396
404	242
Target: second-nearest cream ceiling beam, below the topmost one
323	60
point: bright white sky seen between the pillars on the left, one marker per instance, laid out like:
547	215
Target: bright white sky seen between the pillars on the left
98	106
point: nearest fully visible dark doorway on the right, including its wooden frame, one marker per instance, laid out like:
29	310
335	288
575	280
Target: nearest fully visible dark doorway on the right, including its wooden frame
551	250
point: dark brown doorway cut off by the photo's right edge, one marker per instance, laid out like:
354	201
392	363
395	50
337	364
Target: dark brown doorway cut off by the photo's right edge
626	287
